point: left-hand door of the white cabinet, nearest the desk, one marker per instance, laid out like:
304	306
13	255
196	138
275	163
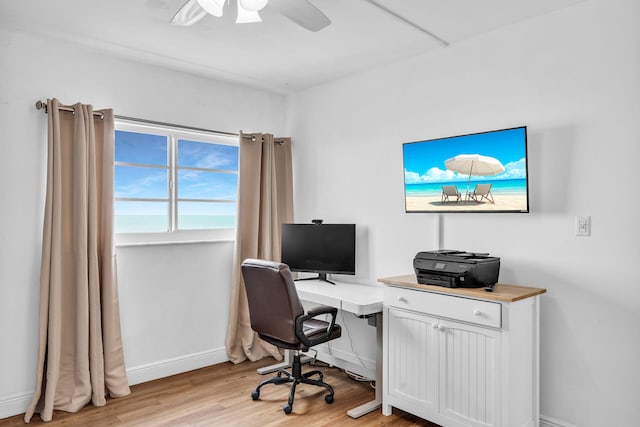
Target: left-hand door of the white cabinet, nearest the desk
412	361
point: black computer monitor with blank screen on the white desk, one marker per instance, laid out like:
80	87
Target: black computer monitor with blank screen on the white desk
319	248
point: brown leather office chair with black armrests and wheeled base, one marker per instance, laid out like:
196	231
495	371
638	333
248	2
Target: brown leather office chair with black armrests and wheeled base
279	318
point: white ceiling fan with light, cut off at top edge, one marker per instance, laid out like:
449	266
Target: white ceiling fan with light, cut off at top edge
302	12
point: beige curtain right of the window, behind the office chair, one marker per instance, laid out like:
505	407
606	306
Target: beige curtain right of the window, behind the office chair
265	201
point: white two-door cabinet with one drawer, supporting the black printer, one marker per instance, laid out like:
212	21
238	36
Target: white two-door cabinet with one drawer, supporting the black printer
460	361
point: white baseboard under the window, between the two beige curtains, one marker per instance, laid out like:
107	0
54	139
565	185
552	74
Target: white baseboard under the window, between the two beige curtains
177	365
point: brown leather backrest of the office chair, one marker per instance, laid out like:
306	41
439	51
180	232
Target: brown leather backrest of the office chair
273	300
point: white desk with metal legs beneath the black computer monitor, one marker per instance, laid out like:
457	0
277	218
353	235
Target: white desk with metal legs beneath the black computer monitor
362	300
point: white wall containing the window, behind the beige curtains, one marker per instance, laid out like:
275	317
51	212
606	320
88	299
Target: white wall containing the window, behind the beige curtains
174	299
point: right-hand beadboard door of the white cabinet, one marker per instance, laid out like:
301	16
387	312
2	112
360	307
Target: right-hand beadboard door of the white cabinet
469	373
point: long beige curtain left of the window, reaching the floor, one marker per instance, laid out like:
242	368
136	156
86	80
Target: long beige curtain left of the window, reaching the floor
80	356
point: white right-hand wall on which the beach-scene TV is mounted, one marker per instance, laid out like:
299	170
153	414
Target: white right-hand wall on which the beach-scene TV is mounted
572	78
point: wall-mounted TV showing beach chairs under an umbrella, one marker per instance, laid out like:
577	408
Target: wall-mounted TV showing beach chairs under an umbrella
479	172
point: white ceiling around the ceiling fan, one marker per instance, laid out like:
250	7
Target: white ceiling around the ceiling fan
276	53
